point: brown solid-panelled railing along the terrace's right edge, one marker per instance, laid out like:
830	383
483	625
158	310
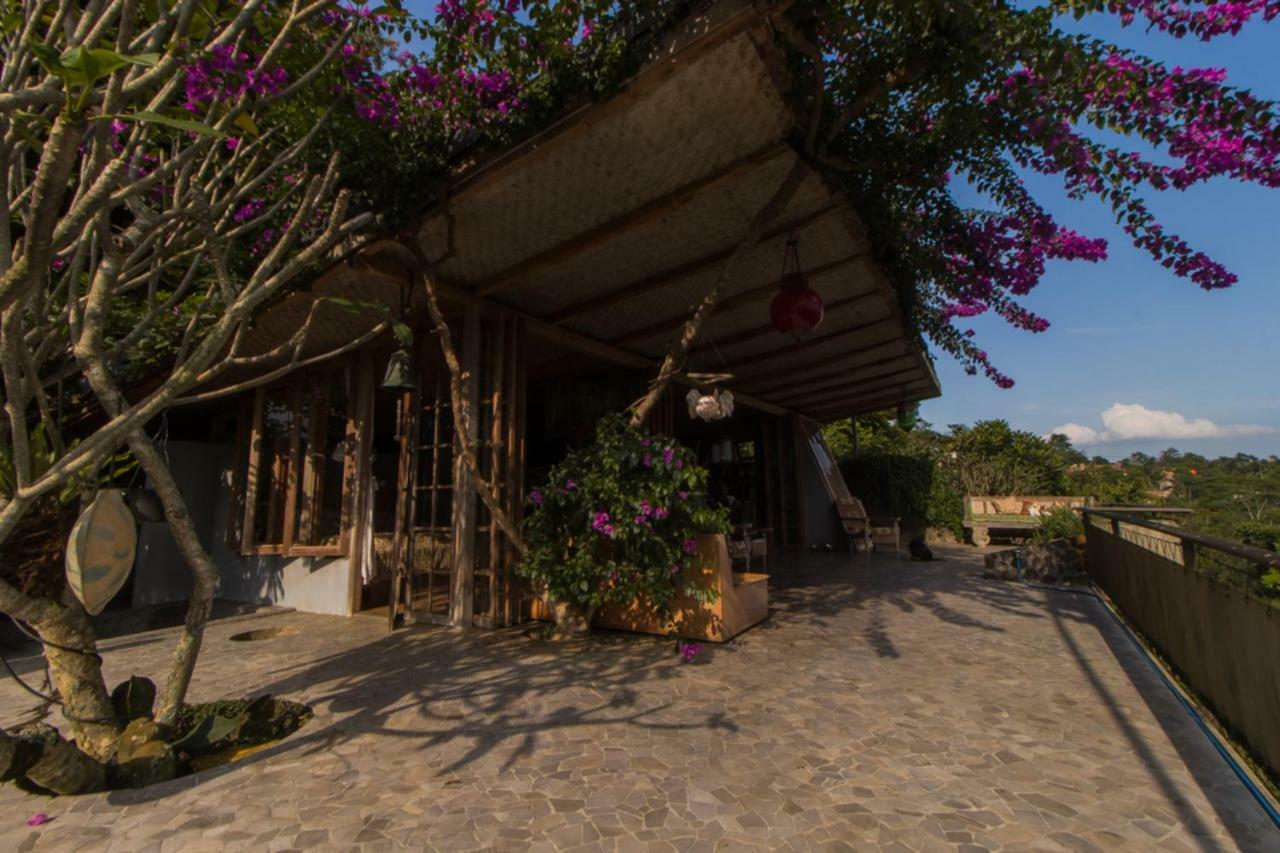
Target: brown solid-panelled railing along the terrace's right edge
1203	604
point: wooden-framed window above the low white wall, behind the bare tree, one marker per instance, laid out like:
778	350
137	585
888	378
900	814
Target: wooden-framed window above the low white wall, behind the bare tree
300	469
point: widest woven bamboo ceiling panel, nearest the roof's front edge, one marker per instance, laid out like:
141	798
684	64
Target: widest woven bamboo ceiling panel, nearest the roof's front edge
720	108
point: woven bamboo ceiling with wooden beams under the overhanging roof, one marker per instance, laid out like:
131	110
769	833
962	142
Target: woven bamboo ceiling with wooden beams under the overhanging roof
610	227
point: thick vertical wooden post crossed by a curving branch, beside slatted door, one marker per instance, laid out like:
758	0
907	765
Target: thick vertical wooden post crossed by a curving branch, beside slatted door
463	594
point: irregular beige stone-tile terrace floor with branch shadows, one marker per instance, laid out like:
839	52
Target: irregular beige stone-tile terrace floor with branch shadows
883	706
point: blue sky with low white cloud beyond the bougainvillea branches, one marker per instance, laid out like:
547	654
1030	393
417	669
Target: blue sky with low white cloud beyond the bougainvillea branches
1130	332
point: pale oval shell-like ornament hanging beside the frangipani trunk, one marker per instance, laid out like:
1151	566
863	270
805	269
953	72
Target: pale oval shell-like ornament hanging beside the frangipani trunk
100	550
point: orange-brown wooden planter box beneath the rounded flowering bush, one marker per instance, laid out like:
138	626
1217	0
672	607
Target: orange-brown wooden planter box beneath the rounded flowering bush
743	601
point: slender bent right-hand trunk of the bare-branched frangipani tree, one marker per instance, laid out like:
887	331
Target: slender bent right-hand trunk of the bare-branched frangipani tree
188	650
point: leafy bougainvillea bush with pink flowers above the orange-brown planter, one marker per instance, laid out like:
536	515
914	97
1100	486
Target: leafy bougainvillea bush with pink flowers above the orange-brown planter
619	521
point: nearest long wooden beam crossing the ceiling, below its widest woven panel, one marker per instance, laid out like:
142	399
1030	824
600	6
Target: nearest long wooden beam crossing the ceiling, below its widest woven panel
634	218
